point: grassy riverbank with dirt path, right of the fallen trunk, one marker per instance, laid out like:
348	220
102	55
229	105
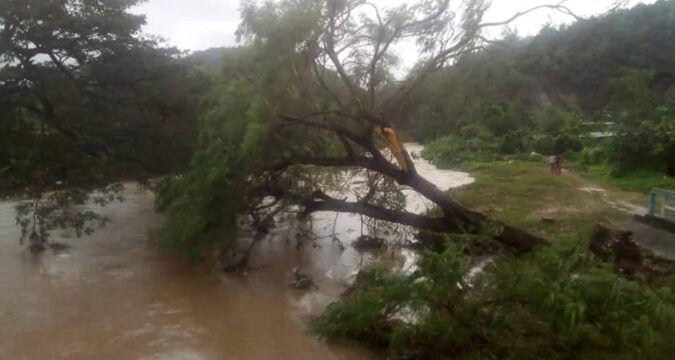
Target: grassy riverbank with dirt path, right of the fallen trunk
565	207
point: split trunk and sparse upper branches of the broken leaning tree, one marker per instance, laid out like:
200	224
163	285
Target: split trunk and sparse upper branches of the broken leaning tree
349	50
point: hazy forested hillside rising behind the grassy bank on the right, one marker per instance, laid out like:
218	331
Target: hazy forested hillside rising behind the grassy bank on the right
608	77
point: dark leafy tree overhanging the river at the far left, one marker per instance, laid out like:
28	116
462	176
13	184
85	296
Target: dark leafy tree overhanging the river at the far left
86	99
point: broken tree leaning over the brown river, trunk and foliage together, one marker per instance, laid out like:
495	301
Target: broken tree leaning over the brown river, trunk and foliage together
316	90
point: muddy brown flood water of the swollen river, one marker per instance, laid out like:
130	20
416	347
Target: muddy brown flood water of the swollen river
114	296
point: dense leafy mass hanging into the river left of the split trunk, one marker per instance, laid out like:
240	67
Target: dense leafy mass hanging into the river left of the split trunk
204	206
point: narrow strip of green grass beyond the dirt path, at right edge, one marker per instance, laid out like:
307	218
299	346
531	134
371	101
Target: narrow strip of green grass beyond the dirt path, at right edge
640	181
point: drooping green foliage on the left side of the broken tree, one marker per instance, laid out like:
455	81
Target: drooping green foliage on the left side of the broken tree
241	132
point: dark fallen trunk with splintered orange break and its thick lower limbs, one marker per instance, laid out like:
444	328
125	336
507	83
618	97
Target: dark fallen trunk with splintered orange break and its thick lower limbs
455	218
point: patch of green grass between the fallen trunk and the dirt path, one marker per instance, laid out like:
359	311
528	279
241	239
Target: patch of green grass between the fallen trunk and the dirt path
520	193
